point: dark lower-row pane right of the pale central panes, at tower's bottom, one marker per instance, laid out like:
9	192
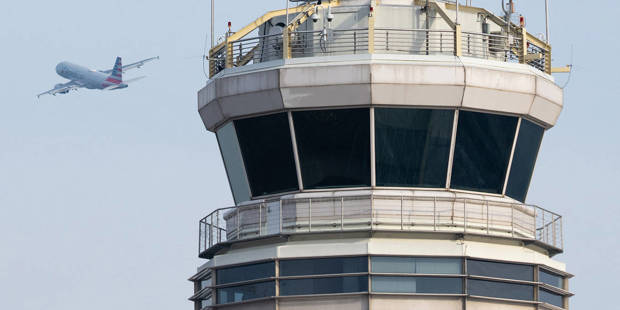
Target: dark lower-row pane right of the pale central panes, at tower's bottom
500	289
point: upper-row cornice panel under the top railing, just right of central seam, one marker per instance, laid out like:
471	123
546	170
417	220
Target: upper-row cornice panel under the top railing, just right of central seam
418	74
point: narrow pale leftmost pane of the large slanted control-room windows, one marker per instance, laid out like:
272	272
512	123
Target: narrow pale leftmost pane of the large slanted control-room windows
231	153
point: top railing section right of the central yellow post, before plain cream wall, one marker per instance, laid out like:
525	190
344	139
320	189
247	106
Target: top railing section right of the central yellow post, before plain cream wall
414	41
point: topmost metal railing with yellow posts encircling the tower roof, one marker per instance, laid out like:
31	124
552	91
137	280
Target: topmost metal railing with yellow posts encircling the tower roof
329	42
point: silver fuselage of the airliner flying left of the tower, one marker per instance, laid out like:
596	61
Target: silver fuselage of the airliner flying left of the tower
90	79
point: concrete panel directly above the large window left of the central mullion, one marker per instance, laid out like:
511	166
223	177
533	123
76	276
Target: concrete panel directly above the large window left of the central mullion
326	96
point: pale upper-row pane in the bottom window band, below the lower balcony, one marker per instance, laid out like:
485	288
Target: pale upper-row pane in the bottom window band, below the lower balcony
420	265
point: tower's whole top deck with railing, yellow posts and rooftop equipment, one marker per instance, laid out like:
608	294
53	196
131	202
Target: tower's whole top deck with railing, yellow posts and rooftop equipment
379	29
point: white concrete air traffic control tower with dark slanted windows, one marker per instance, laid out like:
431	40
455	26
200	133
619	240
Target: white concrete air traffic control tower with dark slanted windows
380	154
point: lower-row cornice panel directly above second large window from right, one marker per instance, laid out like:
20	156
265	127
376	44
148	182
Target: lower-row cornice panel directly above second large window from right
497	100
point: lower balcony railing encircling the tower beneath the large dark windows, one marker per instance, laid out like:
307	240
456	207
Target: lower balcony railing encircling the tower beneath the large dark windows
381	213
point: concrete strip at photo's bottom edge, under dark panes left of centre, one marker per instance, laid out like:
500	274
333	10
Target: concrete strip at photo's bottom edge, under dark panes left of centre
325	303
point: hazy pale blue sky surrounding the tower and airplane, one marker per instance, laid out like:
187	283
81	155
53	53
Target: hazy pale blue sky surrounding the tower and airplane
101	192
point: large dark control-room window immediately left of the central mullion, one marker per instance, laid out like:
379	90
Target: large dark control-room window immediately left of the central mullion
334	147
